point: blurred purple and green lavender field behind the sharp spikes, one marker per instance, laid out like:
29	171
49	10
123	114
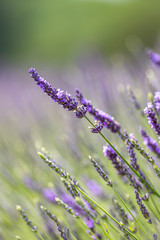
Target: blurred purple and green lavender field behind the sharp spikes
30	120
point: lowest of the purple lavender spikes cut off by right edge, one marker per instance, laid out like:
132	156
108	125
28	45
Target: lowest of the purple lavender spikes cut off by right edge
150	142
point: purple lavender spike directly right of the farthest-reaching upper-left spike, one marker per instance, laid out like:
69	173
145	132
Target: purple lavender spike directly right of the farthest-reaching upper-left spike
105	119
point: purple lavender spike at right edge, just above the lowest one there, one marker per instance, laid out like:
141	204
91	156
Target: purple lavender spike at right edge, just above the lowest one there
152	120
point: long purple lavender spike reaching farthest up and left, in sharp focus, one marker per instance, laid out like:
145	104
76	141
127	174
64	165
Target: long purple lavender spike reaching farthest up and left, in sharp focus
57	95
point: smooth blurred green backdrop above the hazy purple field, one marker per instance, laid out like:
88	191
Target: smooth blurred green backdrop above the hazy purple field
59	30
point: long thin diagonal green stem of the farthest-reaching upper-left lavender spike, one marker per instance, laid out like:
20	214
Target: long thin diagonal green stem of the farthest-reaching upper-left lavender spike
133	170
